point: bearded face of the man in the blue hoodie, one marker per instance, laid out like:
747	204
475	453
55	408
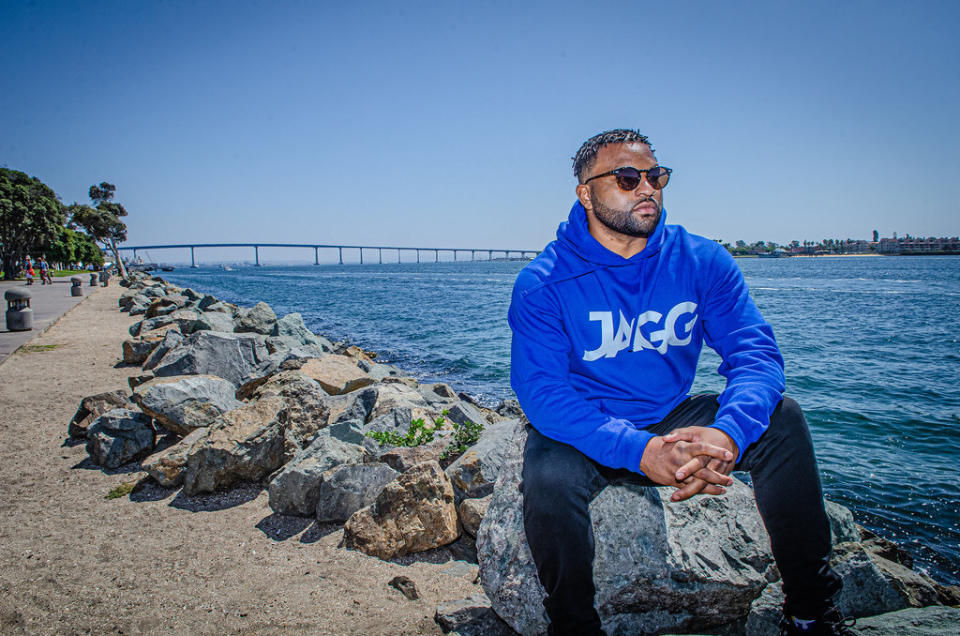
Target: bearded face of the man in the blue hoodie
635	213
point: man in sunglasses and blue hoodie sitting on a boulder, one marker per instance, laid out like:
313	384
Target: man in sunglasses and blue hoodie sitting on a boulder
608	323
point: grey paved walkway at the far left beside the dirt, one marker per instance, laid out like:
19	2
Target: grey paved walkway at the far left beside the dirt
48	302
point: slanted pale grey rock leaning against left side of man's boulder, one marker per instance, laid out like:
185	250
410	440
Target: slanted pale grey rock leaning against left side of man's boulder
475	471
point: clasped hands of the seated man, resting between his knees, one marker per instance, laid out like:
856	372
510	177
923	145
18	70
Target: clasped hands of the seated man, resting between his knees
694	459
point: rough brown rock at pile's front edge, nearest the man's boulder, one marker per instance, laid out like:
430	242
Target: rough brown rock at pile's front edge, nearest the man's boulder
413	513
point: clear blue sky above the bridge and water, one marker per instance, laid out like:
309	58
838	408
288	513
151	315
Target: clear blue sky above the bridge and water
453	123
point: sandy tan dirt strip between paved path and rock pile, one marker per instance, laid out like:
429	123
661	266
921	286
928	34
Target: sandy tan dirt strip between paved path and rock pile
156	561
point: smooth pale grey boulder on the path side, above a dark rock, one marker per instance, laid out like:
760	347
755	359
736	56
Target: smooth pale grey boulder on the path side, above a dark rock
183	403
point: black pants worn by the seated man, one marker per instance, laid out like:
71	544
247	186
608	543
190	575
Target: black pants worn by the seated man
559	482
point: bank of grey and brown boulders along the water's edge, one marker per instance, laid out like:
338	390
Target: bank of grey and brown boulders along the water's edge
230	397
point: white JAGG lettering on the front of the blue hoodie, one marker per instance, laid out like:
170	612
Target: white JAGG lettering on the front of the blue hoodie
660	340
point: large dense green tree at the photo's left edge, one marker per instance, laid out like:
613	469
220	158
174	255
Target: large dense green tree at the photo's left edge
30	214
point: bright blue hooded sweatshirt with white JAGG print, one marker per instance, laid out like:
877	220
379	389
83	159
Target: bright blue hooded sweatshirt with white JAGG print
605	346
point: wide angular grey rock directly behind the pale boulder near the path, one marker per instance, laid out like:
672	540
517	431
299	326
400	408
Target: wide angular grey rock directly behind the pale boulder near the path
228	356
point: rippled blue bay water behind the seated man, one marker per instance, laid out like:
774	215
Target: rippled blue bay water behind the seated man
872	350
